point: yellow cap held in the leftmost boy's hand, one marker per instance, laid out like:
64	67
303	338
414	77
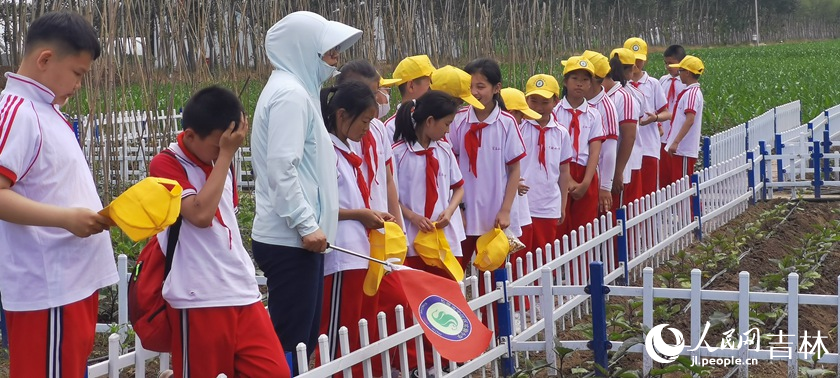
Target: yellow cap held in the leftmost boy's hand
146	208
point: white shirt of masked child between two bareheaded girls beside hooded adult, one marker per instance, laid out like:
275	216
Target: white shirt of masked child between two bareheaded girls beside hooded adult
384	154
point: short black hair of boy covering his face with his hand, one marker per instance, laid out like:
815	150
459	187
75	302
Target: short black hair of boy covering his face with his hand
210	109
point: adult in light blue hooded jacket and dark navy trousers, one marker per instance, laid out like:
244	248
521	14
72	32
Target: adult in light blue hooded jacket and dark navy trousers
295	167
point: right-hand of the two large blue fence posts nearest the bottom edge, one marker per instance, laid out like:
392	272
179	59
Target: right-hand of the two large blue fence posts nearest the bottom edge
597	292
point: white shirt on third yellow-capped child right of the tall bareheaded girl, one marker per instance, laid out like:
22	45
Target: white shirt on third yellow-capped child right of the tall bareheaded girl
591	127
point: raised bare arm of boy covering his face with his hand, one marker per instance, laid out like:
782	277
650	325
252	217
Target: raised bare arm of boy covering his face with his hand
200	208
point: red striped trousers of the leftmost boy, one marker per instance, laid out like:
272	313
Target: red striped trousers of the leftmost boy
55	342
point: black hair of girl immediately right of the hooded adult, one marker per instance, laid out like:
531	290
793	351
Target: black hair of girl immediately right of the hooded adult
354	96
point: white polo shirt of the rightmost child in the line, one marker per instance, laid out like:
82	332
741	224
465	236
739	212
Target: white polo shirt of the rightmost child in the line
690	100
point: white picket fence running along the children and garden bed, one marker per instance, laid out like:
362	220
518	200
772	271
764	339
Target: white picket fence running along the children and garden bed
648	231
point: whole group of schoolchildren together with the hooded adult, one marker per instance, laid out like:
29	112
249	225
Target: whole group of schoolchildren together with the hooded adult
461	154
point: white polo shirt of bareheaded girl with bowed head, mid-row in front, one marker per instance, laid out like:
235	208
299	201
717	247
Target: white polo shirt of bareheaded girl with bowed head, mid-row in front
411	168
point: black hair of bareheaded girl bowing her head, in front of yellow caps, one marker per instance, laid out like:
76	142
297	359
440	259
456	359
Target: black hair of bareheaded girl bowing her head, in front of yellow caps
413	114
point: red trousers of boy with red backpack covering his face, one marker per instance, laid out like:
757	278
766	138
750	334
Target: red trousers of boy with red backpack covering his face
238	341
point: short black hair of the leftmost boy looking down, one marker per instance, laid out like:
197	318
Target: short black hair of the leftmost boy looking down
68	31
